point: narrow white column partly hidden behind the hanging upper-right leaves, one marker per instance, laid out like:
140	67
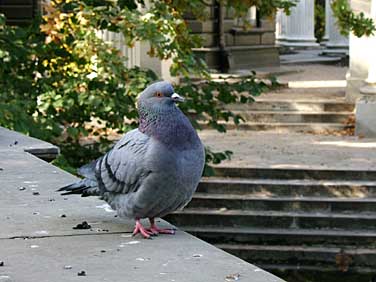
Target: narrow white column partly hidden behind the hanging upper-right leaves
336	39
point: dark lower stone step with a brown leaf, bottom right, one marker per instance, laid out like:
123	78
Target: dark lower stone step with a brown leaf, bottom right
303	255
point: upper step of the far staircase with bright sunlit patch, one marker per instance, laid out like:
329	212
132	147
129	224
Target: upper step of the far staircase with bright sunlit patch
291	105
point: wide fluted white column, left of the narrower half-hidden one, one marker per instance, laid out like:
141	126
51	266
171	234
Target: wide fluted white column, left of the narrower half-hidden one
299	28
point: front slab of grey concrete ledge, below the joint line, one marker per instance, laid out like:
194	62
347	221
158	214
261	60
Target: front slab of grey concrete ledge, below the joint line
179	258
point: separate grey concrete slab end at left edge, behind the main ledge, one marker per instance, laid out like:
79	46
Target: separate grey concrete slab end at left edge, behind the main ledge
11	140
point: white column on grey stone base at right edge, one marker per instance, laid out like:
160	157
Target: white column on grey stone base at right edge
366	106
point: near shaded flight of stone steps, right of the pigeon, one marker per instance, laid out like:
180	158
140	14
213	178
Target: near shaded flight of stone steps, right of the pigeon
300	224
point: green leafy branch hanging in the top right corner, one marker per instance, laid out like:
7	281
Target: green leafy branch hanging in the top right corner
349	21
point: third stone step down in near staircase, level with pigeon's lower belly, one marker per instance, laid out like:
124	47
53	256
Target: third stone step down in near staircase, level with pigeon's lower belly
297	204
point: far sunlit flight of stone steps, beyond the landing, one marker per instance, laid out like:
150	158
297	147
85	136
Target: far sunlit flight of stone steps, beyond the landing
314	110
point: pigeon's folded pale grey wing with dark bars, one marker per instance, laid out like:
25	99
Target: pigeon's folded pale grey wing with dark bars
122	169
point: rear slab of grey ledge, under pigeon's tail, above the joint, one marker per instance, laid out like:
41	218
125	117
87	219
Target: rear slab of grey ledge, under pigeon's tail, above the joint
25	214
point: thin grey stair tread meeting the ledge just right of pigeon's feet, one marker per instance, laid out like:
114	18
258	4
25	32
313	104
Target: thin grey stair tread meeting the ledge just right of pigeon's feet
281	231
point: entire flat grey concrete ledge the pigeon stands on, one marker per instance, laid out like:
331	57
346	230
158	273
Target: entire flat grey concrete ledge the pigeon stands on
37	244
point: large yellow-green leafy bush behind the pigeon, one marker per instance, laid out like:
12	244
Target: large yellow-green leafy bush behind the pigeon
63	84
